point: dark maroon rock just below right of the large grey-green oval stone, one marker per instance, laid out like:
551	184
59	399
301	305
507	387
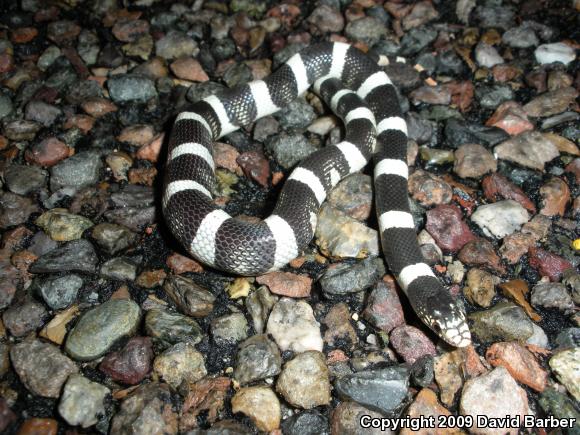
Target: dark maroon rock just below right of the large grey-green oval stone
131	364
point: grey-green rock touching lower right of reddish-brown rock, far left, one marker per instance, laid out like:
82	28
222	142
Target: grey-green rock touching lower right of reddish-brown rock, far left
81	170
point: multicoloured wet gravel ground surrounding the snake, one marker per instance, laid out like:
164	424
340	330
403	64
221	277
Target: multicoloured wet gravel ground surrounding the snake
107	327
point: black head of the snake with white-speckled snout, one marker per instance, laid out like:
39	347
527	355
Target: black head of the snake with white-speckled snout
439	310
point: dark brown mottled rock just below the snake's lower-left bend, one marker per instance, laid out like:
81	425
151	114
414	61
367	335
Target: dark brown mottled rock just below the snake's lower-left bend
190	298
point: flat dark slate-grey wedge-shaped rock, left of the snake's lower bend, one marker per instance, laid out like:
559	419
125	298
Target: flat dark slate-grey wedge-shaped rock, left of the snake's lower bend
77	255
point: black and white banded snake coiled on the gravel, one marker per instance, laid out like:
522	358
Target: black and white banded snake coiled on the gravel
359	91
